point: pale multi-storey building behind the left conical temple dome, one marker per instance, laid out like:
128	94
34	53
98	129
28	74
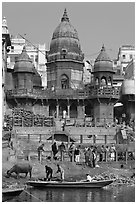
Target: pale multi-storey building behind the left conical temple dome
37	54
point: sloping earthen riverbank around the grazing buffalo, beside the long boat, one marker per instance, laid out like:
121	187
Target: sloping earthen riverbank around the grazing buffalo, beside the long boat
120	171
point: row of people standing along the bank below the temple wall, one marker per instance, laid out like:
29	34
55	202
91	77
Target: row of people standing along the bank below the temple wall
92	154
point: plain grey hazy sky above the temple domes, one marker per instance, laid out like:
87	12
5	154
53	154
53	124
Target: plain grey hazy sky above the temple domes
111	23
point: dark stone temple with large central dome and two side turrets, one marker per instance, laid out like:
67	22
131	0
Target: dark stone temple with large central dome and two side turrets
65	95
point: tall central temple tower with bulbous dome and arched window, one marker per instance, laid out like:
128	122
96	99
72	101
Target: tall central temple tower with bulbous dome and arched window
65	58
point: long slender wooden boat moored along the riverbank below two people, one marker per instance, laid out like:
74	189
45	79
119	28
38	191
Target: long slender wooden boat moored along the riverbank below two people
71	184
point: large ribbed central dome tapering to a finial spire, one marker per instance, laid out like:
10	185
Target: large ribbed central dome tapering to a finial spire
65	40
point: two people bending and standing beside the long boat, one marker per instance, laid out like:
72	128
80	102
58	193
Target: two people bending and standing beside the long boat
49	172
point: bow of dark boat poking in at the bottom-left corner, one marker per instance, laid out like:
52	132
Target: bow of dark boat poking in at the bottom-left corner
8	193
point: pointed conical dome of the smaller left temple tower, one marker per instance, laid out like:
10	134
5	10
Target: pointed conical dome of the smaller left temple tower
23	63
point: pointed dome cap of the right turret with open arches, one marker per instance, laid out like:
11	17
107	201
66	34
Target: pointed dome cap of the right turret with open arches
103	62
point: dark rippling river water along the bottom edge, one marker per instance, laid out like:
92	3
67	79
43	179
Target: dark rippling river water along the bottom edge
107	194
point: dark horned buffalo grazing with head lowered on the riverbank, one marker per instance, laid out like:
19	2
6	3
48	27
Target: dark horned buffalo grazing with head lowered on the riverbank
20	168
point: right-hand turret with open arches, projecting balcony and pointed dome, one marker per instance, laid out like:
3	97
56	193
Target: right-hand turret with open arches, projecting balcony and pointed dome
103	93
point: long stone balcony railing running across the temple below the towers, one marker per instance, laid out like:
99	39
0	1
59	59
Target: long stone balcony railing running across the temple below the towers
113	92
